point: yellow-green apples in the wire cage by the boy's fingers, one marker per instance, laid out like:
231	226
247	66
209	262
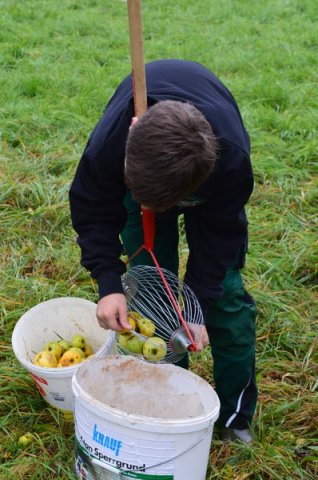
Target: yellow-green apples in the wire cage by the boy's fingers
146	344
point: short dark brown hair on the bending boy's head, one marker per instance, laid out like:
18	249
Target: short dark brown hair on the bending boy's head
170	152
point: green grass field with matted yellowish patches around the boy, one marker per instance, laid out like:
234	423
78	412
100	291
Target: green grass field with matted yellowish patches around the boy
60	63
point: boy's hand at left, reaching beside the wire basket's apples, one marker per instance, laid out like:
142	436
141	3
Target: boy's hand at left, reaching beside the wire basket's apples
112	312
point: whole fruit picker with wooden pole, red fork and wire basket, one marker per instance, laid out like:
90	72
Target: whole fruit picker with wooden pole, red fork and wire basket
163	312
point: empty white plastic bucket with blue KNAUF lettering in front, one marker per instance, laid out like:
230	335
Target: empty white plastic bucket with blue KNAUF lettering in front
139	420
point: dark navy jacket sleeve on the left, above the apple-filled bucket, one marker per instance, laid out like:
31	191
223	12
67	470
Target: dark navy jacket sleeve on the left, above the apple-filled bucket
96	201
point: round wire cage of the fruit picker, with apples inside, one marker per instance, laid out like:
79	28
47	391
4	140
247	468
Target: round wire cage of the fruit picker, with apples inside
164	316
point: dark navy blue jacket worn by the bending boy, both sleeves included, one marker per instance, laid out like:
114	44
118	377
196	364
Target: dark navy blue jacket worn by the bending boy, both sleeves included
98	189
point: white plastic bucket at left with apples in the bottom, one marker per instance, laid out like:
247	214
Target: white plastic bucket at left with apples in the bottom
66	316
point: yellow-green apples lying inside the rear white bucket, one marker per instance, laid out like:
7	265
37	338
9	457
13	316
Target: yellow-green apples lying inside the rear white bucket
63	353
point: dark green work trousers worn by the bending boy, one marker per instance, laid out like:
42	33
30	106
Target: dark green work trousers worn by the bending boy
230	321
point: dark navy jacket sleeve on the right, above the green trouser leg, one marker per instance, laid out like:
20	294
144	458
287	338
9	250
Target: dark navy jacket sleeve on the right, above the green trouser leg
217	230
